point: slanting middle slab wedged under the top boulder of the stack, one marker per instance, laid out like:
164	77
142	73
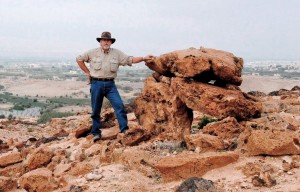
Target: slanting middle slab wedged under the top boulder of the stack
215	101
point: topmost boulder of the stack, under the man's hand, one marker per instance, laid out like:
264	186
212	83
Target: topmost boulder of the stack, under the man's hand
203	63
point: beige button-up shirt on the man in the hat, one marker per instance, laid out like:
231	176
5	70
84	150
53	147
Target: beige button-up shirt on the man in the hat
105	65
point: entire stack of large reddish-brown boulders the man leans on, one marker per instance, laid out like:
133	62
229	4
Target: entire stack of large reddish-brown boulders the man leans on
180	86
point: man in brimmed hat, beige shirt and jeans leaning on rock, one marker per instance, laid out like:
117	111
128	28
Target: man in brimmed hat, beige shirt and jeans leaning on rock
104	63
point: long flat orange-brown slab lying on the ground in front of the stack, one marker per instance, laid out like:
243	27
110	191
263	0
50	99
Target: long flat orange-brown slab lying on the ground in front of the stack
192	165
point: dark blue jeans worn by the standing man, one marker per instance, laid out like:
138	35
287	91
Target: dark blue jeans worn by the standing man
108	89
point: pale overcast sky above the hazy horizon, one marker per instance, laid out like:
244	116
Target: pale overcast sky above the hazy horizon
252	29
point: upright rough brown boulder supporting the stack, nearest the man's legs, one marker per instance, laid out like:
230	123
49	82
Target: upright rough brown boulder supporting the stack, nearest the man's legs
160	112
